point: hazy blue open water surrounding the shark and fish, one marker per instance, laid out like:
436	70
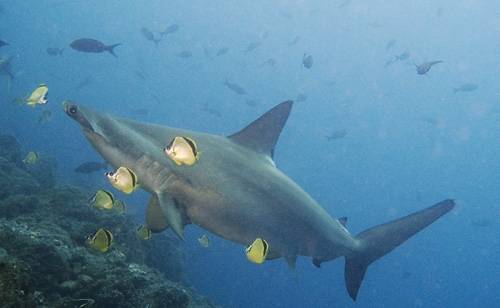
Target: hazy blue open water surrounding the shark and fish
391	162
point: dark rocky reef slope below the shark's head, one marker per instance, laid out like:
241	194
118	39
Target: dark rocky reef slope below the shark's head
44	261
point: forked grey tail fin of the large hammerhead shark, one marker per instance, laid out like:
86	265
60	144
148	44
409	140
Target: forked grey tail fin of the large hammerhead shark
380	240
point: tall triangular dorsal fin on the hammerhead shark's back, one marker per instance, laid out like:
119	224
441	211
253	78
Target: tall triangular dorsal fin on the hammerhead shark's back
262	134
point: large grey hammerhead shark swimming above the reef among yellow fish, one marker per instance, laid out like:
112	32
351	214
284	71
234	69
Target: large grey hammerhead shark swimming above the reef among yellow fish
236	192
